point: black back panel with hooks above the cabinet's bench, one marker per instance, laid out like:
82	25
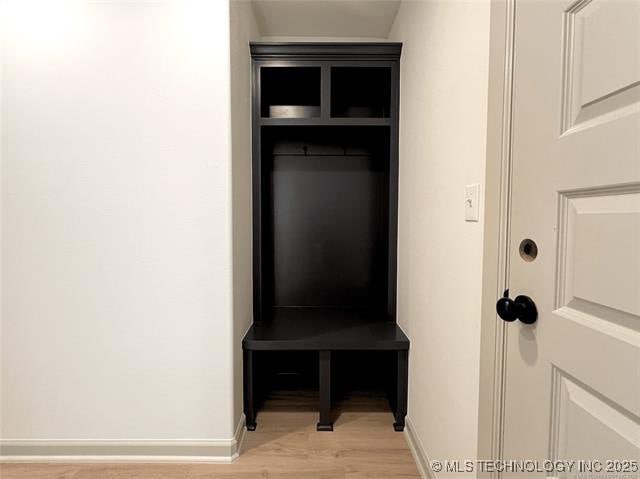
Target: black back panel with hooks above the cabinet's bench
328	216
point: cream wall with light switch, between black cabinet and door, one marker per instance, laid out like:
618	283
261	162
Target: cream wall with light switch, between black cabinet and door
442	149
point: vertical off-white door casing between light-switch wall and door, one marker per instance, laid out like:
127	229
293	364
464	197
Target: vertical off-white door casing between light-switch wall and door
497	230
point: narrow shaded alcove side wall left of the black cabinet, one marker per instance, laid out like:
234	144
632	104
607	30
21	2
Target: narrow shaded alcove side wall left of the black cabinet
243	30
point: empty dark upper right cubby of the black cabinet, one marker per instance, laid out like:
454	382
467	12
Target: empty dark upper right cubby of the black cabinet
360	92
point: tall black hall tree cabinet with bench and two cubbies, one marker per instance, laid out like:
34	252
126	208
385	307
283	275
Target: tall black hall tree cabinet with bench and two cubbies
325	194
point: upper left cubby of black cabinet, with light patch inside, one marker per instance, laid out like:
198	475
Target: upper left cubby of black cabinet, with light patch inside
290	92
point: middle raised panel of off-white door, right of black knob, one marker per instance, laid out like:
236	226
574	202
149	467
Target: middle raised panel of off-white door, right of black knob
610	211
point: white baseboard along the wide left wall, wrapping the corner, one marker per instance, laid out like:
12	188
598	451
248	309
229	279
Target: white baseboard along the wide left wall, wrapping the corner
131	451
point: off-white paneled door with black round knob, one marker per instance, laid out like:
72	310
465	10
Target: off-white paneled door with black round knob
573	377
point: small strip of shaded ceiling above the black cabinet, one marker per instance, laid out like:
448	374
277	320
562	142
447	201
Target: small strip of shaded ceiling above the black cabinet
325	18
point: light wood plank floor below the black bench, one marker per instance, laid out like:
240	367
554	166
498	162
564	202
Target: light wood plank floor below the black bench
284	446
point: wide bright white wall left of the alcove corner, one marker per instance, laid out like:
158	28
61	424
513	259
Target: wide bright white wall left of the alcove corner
116	220
